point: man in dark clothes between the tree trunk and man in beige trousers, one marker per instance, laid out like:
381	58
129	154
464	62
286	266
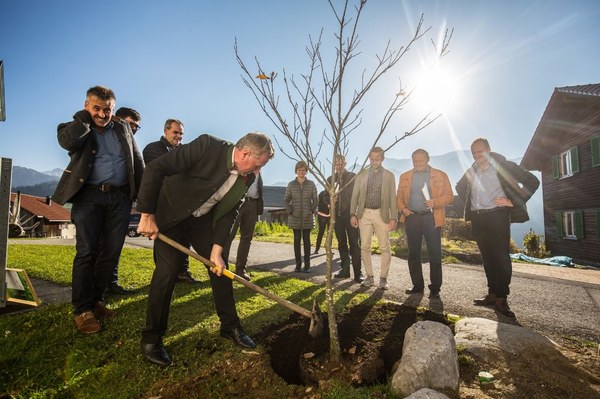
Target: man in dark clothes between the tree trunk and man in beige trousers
344	232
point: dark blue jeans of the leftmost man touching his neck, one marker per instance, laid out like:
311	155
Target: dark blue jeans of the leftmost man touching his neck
101	221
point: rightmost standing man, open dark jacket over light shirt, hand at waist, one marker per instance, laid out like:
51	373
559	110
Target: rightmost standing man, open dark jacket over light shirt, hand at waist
495	192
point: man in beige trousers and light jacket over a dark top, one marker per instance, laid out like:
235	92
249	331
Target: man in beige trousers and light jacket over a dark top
373	208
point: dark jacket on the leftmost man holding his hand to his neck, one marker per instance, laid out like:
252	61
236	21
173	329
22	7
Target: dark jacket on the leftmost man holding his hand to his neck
76	138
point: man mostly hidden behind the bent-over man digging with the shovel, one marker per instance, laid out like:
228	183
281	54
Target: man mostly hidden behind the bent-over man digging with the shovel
172	137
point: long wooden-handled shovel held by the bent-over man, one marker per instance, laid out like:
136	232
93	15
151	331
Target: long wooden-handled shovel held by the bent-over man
316	321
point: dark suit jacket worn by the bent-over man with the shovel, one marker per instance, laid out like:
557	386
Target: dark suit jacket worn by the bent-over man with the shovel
178	183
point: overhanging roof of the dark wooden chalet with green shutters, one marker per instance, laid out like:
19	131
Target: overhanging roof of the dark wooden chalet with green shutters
569	108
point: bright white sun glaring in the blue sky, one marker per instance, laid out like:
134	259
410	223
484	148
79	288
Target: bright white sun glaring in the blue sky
436	89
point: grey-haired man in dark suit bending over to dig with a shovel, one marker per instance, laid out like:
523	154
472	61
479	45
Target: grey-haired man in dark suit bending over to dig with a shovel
192	194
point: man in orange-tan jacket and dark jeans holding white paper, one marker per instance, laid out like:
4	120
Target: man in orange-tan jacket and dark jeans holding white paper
423	193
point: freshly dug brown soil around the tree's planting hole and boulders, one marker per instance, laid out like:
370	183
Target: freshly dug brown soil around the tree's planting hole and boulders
296	365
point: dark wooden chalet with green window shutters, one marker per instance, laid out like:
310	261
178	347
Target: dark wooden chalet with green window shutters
565	148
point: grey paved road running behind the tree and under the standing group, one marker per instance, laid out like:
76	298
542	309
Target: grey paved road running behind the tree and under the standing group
551	300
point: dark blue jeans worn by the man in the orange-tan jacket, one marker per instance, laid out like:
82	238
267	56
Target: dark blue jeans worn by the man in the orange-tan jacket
419	227
